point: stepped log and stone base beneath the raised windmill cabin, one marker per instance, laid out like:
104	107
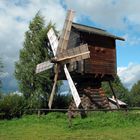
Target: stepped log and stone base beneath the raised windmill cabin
93	98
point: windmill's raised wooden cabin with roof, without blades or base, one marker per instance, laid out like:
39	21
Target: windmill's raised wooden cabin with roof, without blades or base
102	46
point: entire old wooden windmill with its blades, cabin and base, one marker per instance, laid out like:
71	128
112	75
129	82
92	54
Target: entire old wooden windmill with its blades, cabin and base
90	55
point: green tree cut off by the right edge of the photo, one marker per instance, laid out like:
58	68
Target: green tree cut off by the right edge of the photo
135	94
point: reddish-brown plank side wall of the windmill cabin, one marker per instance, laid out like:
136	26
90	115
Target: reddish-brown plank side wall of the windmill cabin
102	61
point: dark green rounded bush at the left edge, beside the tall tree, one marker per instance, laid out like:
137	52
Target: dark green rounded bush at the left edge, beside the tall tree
11	106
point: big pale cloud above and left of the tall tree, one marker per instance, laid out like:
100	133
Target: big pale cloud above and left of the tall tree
15	16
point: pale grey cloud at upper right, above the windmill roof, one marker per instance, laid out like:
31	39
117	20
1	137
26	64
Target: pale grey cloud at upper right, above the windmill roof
109	13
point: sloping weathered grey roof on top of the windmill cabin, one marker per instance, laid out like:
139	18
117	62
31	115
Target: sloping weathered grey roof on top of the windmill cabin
94	30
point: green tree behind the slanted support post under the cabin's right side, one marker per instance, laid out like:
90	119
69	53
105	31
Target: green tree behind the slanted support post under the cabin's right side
121	92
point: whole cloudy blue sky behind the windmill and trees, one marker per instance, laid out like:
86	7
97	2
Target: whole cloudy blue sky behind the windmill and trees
119	17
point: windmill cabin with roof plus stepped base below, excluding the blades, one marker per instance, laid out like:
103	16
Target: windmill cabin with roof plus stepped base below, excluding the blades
99	67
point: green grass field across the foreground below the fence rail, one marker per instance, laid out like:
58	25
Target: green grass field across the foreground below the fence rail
54	126
